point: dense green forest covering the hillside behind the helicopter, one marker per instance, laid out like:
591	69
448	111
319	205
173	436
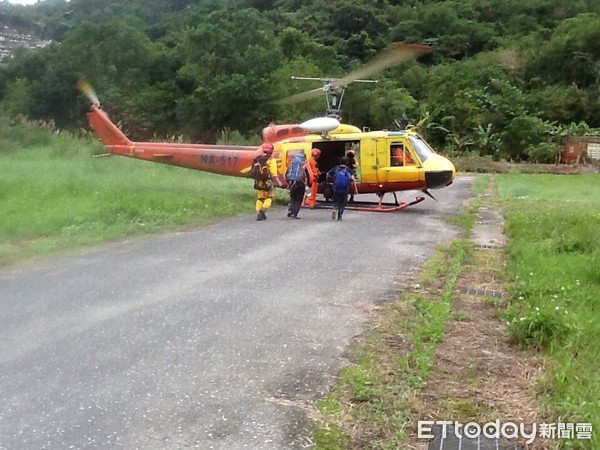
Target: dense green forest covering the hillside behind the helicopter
505	78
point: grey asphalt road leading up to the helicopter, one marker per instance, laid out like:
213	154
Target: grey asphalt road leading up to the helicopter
219	337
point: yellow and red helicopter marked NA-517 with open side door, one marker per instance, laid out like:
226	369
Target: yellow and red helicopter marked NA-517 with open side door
387	161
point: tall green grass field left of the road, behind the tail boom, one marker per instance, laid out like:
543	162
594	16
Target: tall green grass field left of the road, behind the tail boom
54	195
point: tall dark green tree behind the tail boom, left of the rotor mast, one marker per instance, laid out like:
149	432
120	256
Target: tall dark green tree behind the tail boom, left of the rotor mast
229	59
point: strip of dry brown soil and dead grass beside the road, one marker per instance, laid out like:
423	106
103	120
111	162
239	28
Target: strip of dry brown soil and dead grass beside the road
478	375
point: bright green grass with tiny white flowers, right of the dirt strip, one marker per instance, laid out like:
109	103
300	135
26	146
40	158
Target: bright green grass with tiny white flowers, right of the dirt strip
553	222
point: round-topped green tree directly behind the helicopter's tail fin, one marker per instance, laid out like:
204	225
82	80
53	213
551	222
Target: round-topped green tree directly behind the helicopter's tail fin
124	66
